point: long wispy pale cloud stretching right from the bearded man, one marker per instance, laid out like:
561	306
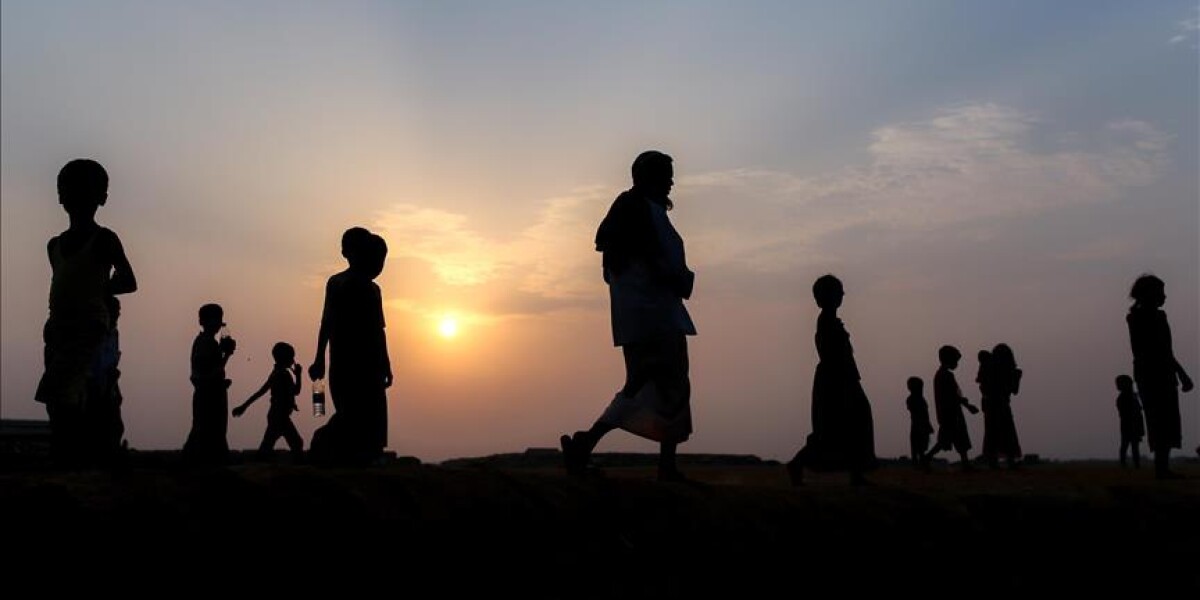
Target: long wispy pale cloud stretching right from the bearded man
967	164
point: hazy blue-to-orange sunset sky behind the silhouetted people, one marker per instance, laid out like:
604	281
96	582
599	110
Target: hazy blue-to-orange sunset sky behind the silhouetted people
975	172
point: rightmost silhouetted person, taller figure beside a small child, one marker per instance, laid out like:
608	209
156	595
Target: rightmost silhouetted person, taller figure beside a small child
1157	373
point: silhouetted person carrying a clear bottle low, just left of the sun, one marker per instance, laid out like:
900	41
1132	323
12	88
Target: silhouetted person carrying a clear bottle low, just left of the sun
352	326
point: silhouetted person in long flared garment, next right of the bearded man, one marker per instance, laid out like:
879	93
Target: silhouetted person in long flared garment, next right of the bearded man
843	430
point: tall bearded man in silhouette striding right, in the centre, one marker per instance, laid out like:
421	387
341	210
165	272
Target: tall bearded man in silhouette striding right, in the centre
649	280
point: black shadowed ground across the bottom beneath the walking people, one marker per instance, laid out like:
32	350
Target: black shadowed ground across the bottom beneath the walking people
740	532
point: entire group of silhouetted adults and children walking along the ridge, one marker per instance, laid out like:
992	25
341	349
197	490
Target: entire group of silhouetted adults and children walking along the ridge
649	279
